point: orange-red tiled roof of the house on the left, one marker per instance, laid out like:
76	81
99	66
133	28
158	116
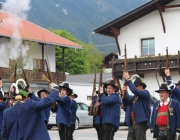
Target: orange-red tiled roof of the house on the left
32	32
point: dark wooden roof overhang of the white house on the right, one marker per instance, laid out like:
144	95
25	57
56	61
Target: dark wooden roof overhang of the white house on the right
130	17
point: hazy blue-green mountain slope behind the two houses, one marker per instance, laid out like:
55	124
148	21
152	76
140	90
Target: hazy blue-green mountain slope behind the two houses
81	17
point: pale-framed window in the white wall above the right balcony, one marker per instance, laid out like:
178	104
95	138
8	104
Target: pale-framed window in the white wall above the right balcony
147	47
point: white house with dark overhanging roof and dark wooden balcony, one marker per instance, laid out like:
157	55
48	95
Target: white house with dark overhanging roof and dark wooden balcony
147	31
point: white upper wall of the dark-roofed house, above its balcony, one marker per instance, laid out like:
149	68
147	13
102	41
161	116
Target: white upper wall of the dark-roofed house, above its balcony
151	26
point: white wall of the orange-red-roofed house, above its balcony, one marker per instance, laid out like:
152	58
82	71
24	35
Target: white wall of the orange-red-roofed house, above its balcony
49	49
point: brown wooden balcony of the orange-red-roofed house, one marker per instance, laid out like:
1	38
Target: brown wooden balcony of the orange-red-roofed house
33	76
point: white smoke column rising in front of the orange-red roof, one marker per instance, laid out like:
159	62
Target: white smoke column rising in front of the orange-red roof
13	23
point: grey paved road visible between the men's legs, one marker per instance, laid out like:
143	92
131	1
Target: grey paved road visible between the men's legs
90	134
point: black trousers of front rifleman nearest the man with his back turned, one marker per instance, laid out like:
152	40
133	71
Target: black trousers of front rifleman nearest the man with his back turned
64	131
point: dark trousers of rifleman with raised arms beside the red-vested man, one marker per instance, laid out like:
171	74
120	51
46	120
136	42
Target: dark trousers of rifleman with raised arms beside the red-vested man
137	131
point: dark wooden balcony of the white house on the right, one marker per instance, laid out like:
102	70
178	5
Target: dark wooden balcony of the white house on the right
144	65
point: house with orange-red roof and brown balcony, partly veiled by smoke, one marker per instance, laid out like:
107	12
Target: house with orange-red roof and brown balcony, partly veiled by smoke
46	41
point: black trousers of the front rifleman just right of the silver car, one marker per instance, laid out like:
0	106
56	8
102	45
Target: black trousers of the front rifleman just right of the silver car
108	131
